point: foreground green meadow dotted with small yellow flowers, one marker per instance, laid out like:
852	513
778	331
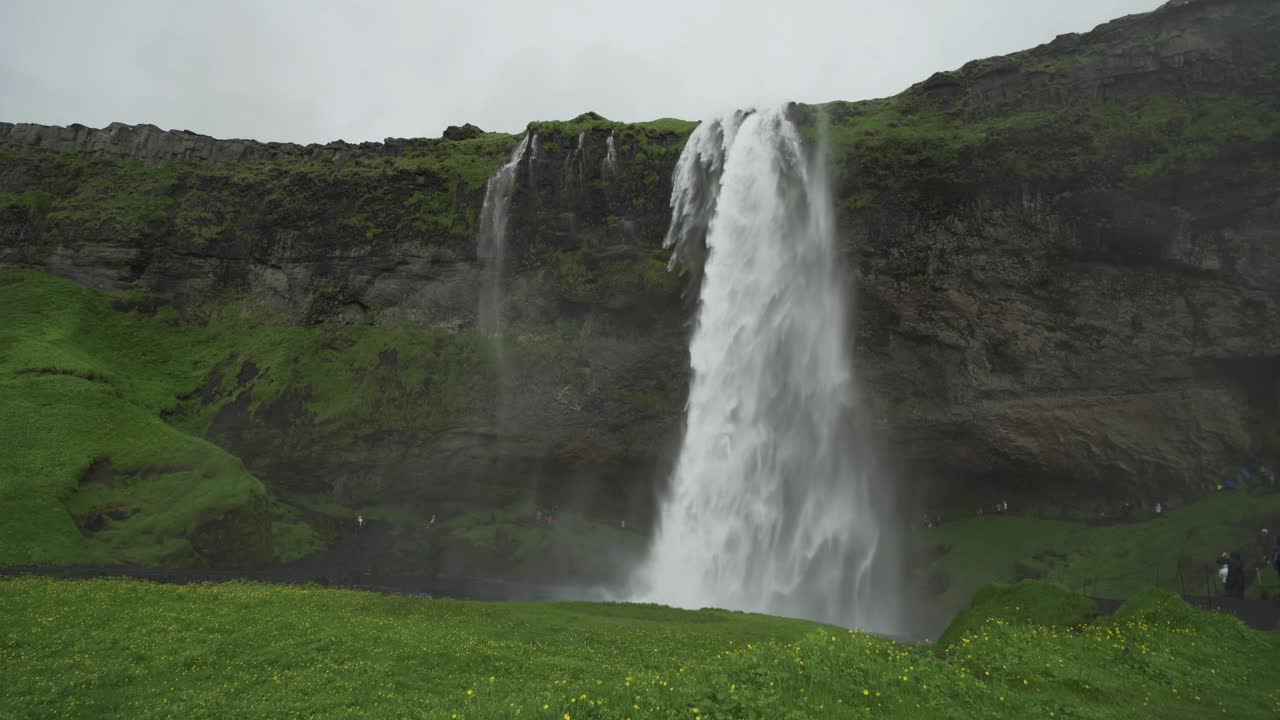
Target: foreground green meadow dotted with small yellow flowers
116	648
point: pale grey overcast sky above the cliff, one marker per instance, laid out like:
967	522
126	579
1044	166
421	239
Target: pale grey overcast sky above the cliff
313	71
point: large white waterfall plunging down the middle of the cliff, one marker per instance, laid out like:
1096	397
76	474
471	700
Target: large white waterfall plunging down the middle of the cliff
774	507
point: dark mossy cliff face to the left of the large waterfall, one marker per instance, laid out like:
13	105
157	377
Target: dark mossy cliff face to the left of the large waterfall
344	238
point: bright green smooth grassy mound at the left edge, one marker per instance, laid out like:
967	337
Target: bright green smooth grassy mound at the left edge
79	384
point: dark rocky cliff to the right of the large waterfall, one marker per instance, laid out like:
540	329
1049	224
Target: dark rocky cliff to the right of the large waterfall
1084	325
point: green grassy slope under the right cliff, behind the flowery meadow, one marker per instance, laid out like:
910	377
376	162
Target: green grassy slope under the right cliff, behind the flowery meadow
1107	562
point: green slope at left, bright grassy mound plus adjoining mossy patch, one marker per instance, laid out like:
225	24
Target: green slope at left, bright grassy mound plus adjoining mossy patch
90	472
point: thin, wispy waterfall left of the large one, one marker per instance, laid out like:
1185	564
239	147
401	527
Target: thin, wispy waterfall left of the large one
492	252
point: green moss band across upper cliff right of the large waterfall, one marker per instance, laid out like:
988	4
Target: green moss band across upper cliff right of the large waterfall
909	153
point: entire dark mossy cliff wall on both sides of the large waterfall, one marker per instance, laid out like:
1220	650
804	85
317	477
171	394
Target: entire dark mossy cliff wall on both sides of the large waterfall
1068	272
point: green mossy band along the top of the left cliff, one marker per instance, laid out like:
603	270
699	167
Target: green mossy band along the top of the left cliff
429	189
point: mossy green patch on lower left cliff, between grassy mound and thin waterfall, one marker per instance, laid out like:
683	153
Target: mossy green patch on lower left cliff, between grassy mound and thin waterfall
335	384
